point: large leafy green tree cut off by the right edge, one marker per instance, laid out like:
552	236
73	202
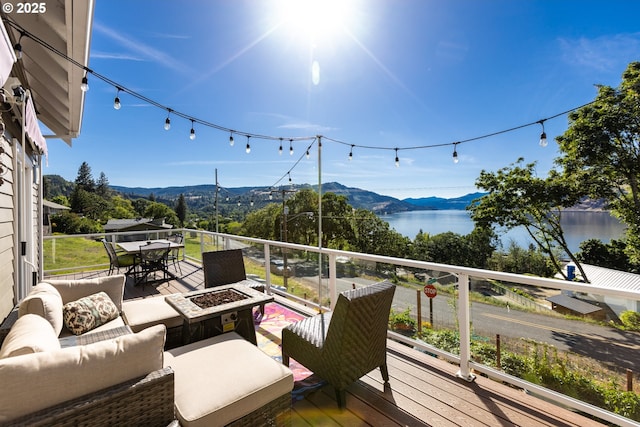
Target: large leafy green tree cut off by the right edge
601	150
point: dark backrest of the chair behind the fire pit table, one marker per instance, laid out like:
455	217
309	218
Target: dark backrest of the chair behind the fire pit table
223	267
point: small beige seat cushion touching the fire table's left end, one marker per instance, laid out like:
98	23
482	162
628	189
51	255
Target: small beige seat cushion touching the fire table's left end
141	313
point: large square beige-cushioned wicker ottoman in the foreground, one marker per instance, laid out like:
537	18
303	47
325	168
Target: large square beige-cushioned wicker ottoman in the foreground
221	379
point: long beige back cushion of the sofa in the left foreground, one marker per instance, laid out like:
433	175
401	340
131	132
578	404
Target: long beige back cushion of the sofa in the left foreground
37	381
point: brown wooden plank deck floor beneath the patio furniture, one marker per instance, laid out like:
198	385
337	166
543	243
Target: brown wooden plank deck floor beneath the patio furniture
423	390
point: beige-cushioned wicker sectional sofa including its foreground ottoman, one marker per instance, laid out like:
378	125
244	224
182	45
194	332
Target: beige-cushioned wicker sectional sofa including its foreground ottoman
122	374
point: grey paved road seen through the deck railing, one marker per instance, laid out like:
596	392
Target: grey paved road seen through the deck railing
604	344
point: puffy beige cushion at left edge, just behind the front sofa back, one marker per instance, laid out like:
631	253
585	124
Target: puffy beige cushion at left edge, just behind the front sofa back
30	334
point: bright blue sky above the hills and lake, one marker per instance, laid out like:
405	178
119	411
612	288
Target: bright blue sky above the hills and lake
388	74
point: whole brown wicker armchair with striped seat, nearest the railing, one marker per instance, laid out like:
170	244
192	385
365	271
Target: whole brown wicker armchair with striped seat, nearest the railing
346	344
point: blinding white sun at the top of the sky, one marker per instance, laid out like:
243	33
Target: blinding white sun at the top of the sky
315	20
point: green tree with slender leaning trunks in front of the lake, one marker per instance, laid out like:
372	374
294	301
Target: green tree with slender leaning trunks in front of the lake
517	197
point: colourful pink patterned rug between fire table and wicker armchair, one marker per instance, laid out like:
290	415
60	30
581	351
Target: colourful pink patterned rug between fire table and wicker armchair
269	337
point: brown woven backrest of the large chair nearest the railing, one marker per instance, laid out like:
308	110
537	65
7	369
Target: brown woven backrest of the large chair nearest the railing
357	334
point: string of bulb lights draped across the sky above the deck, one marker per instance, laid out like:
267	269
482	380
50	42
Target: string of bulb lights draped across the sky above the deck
122	89
